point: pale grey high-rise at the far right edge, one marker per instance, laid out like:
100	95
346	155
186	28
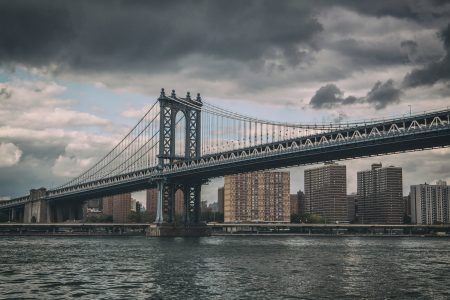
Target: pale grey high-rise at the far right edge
430	204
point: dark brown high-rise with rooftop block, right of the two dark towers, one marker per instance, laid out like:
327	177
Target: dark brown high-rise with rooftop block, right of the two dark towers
380	195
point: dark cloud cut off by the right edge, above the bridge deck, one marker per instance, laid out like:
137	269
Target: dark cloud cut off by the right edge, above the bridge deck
433	72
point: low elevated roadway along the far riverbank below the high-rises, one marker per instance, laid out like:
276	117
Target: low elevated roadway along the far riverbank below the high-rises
143	229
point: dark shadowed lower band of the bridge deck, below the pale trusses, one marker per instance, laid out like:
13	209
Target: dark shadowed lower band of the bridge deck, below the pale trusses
395	144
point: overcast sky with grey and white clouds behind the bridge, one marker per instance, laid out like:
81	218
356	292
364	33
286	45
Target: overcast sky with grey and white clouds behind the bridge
76	75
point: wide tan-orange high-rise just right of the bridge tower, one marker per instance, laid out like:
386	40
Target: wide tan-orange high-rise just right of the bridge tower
257	196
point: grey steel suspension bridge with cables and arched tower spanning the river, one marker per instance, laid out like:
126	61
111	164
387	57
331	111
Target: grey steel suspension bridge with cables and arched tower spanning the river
182	142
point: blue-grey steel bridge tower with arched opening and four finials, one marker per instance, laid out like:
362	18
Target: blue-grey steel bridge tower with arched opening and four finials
170	106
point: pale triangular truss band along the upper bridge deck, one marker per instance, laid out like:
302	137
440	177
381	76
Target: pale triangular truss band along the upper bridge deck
404	126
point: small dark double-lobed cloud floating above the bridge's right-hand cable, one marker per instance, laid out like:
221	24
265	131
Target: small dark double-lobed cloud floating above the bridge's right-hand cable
381	95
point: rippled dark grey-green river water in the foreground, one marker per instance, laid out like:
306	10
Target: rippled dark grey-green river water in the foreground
224	268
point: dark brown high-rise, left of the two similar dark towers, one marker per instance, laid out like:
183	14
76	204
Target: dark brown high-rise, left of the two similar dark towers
326	192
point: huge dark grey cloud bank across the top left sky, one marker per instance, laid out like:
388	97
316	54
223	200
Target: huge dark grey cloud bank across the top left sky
141	35
